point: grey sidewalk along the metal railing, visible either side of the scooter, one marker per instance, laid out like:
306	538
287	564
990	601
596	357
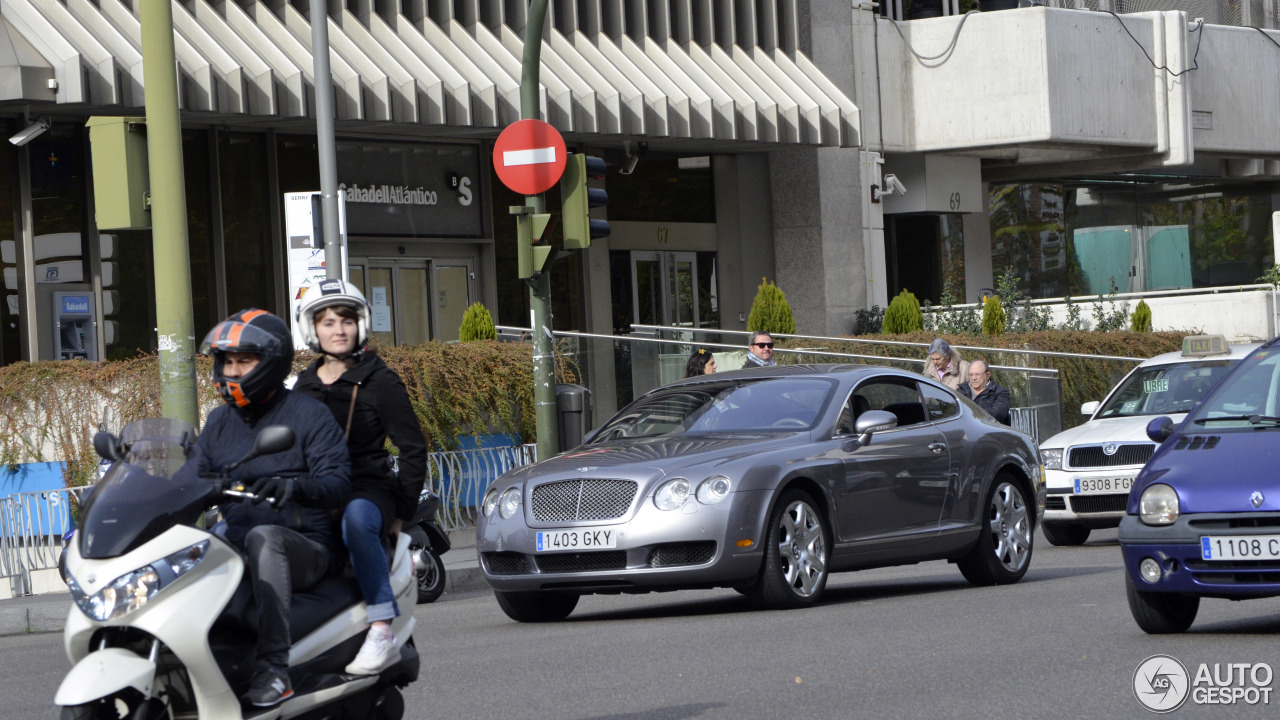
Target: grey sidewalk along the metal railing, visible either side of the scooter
48	613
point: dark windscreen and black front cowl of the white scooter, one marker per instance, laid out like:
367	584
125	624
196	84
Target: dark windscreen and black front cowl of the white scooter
148	490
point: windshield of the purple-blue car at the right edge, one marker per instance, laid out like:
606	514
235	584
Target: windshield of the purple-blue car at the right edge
1249	399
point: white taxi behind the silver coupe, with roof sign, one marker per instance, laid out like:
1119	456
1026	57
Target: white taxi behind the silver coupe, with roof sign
1090	470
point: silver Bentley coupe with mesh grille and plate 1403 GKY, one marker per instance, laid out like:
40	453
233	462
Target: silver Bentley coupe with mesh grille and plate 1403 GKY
765	481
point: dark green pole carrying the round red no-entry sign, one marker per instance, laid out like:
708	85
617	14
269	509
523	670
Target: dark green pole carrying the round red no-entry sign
541	285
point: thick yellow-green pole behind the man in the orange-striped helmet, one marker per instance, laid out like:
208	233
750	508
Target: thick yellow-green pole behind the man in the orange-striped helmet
177	335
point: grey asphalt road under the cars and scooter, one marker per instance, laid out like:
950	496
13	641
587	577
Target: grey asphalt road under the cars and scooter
907	642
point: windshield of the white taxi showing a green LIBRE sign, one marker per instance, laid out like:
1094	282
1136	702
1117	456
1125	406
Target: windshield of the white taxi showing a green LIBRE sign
1164	390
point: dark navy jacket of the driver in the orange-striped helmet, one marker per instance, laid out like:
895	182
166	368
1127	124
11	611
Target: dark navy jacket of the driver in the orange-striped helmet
318	461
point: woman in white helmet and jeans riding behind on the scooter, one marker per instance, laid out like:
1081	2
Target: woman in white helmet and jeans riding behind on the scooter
372	404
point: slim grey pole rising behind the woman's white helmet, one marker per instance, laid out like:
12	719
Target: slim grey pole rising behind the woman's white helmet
326	143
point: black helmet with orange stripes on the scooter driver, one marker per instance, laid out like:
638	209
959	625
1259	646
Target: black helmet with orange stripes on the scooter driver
257	332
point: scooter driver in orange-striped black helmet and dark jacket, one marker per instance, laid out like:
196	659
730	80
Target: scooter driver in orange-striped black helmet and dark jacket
290	544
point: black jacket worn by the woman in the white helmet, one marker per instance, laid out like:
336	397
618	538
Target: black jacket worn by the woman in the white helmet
383	411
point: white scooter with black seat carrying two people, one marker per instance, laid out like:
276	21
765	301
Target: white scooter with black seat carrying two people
163	626
